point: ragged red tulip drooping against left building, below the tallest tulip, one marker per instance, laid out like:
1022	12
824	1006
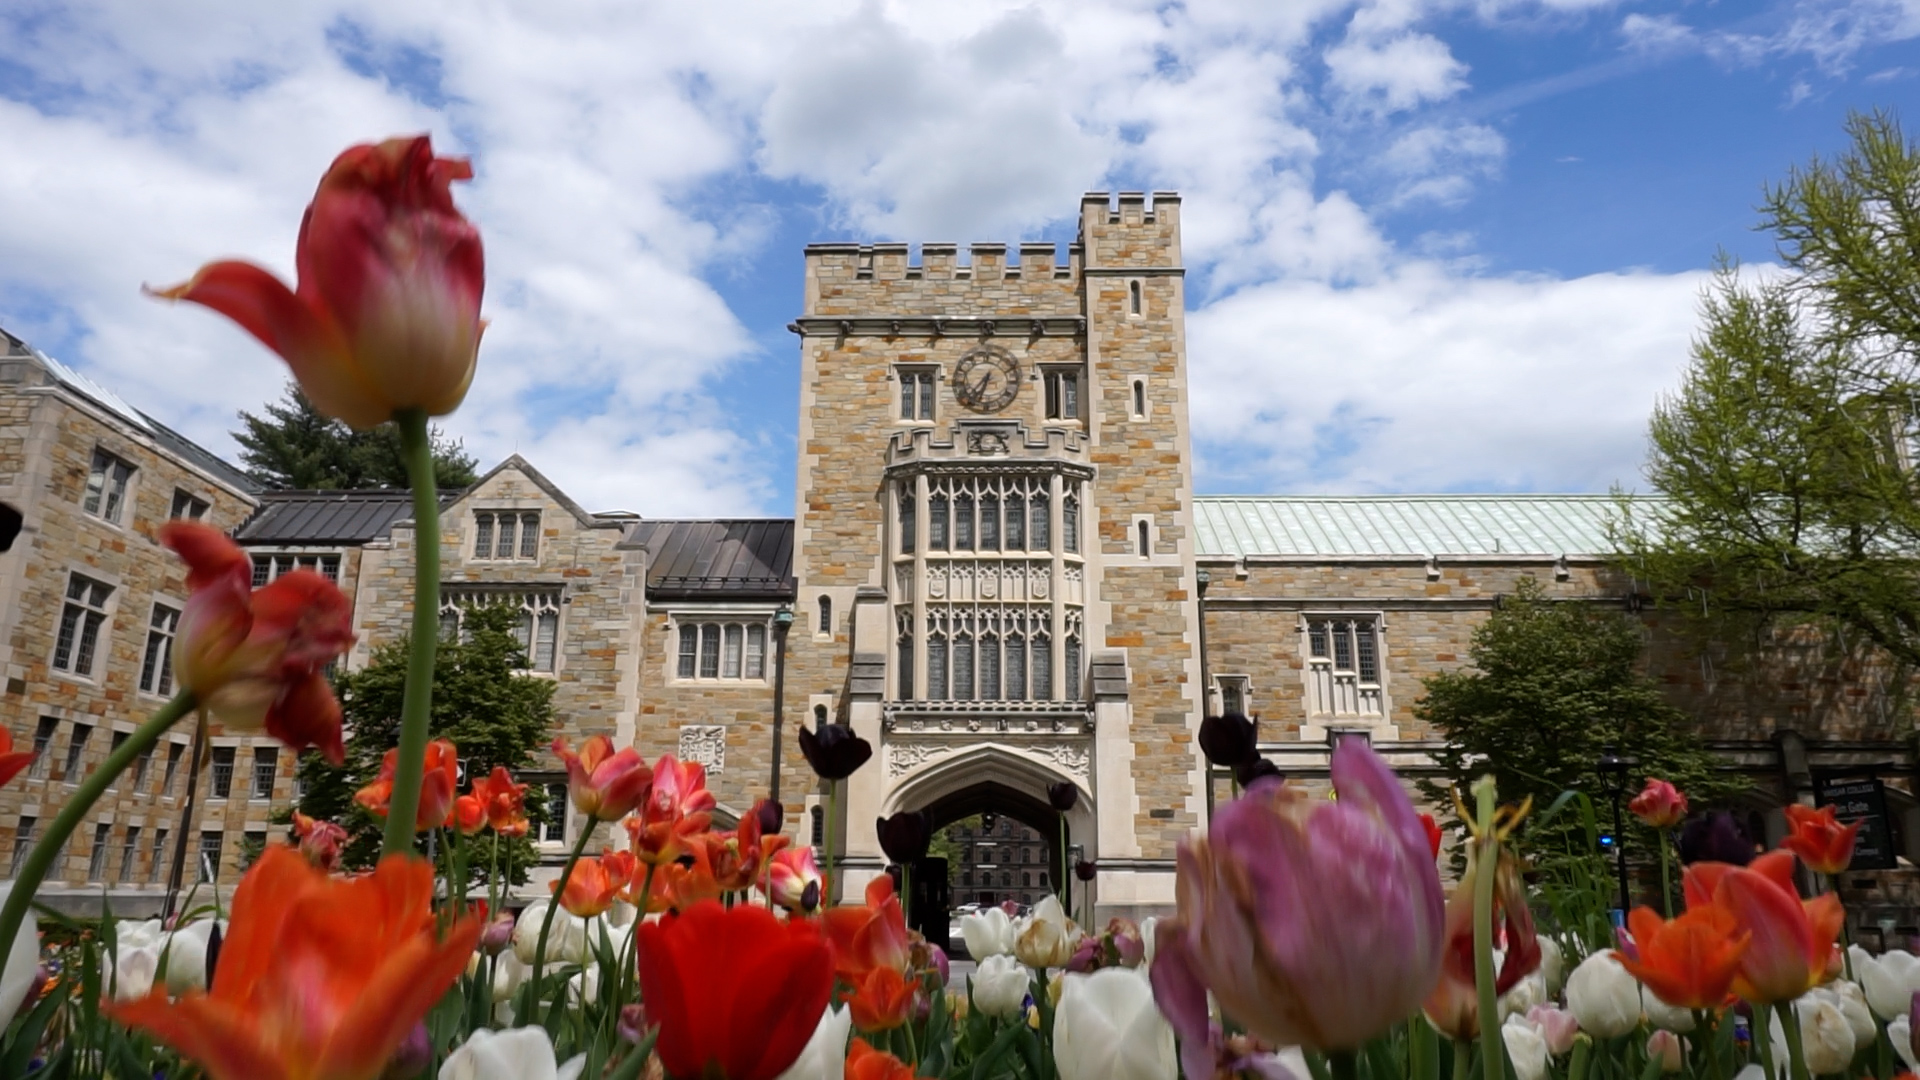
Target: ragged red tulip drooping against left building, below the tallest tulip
256	656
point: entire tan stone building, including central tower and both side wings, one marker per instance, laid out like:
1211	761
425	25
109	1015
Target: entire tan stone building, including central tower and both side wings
997	574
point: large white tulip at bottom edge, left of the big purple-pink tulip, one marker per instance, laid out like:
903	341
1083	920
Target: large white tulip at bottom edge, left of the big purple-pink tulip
1107	1027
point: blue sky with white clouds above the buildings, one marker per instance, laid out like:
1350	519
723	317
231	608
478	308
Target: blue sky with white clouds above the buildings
1433	245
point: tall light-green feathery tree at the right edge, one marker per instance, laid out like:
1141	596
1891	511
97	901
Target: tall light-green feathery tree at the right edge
1788	454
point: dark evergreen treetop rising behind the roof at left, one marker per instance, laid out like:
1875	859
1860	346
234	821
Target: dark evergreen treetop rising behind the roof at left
295	447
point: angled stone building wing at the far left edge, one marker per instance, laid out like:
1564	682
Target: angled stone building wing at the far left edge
91	602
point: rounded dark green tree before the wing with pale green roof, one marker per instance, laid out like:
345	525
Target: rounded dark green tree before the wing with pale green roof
1552	687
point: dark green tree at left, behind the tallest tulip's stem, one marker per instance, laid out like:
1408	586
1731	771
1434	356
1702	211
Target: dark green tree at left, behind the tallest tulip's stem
483	702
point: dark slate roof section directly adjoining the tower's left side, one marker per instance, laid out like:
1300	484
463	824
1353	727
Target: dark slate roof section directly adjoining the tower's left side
717	560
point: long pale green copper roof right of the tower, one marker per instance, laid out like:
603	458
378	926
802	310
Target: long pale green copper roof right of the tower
1403	526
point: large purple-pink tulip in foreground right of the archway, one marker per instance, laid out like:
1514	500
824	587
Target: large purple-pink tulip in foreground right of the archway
1291	908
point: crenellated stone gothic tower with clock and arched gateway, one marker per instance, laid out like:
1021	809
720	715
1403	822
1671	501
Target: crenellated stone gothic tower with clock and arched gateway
994	551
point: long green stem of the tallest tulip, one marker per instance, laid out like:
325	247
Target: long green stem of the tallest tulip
418	704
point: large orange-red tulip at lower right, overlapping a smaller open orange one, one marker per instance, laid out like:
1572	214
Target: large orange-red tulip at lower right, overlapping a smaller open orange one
1790	943
